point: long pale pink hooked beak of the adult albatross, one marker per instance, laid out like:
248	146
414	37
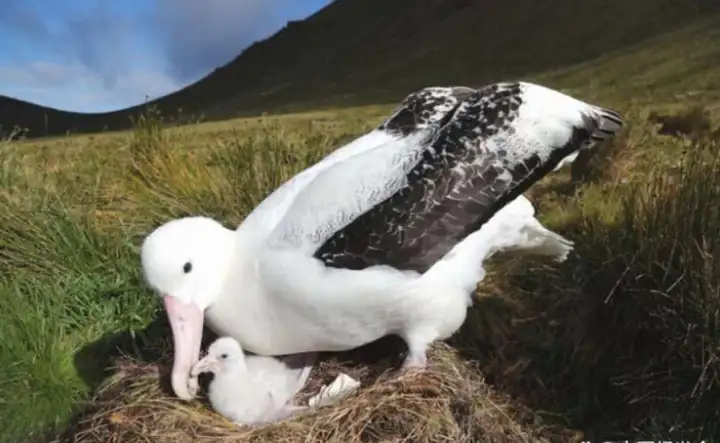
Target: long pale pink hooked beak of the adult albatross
186	322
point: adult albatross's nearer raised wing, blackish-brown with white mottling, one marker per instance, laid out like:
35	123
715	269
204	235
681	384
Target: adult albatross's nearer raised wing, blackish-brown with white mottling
496	144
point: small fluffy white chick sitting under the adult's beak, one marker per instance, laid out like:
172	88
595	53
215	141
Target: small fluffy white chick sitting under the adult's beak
252	390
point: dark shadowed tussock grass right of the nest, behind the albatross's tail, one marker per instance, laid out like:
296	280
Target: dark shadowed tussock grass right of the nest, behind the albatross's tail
621	341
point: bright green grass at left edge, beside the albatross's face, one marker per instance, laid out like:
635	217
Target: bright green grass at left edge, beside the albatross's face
64	285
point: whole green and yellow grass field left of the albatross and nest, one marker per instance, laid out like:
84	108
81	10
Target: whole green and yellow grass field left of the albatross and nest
70	225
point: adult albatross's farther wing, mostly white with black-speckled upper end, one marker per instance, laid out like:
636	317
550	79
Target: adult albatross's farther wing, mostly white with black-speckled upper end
350	180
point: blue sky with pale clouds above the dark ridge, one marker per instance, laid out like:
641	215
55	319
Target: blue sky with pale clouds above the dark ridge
102	55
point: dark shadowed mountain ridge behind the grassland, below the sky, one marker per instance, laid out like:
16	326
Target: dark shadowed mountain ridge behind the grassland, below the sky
367	51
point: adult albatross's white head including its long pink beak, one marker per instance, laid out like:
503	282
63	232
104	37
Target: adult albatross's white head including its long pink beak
185	261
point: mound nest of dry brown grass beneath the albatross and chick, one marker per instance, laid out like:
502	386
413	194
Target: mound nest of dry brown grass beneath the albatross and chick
448	402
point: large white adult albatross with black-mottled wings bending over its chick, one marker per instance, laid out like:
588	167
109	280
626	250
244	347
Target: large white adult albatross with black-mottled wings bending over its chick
386	236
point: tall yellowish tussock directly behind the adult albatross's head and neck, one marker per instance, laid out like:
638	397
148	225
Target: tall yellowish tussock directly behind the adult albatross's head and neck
226	180
